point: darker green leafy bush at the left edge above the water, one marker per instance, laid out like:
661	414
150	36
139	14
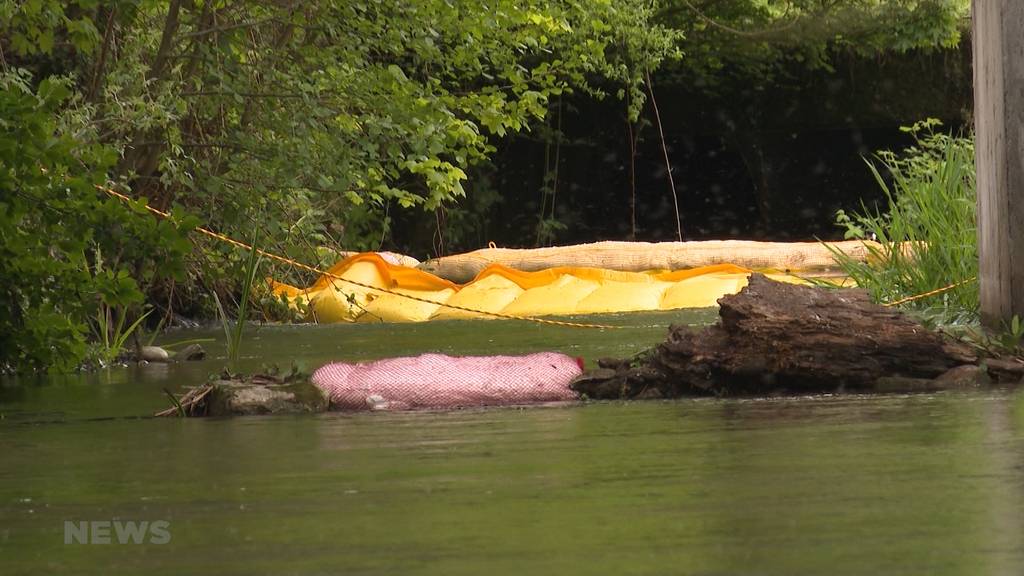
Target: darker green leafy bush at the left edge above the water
67	253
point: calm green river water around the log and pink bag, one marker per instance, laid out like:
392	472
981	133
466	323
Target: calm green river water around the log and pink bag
822	485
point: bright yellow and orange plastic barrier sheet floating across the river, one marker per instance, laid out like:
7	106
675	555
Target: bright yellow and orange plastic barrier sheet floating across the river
366	289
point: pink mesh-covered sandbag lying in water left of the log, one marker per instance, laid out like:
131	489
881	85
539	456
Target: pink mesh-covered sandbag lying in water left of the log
437	381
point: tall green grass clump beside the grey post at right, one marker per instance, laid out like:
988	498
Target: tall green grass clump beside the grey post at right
927	232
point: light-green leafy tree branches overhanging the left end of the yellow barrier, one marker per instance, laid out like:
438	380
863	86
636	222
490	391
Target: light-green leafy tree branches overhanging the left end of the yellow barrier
322	117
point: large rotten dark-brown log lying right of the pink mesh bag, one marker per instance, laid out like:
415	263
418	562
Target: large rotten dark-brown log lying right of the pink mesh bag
776	338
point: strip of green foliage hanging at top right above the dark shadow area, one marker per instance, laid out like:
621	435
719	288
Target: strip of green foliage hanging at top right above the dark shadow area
752	39
